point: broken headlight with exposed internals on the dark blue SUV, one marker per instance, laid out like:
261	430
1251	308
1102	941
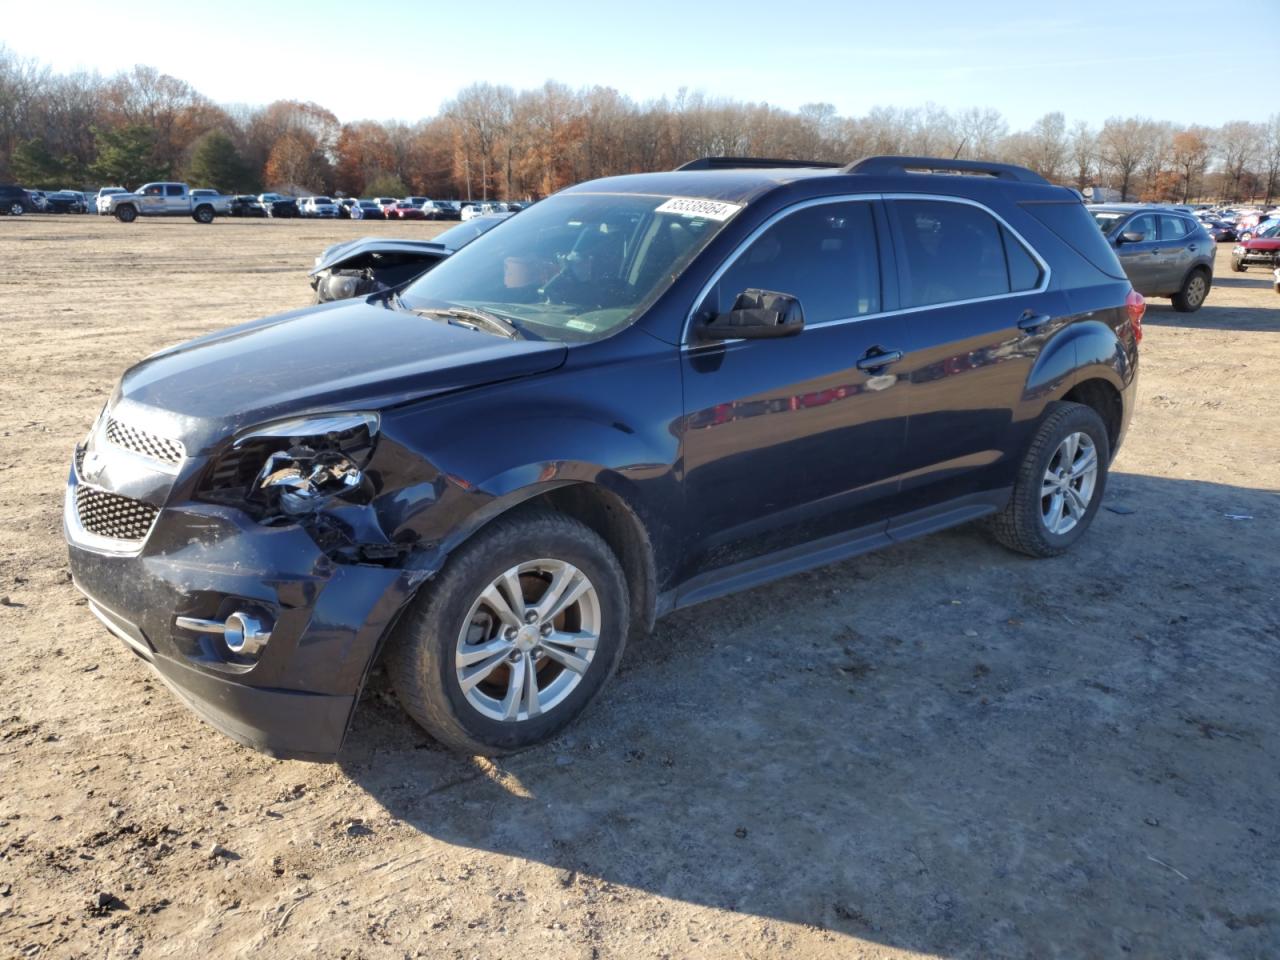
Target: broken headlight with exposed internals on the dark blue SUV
296	467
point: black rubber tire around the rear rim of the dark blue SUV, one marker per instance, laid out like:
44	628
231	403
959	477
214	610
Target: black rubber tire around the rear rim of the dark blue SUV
1023	525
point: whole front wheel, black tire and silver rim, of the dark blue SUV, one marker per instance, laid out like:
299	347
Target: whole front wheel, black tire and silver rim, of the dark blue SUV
452	614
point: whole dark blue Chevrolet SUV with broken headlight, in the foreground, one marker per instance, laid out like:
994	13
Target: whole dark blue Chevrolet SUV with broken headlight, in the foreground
642	394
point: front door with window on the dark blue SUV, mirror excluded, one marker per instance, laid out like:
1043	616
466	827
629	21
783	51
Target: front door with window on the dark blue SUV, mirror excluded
792	440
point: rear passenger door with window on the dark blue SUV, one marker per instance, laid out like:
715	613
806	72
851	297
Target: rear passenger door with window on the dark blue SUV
977	305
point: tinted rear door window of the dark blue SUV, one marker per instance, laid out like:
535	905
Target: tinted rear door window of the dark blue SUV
957	252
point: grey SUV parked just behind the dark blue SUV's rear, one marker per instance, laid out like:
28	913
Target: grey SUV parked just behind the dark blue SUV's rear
1164	252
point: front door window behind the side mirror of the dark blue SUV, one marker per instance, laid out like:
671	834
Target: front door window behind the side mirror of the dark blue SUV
824	255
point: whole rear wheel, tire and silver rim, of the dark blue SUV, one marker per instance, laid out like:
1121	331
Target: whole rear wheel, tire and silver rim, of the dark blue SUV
1059	486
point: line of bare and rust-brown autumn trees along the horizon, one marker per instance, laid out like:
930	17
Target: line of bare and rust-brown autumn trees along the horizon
83	130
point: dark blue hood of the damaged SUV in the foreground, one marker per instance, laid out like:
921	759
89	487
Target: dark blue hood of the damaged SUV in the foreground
344	355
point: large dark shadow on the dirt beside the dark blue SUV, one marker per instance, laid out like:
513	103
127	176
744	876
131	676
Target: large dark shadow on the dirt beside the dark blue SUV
941	748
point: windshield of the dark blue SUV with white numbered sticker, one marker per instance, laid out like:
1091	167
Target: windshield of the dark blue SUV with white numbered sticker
575	267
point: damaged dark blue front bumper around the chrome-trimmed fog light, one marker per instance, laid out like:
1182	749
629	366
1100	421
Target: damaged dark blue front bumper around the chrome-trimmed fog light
204	561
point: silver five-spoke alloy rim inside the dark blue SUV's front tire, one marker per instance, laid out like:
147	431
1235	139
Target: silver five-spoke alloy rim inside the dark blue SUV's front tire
528	641
